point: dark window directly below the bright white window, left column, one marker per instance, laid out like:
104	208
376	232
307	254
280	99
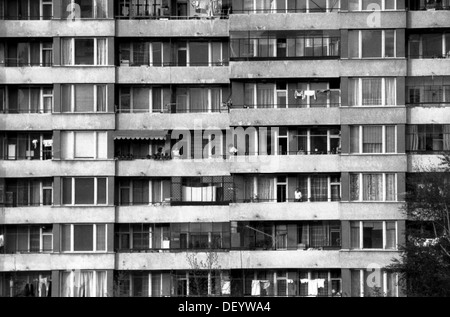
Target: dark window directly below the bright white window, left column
84	191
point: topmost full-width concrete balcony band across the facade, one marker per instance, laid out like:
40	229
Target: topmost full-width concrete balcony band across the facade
220	27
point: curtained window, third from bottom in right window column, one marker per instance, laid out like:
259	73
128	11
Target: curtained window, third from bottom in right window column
373	187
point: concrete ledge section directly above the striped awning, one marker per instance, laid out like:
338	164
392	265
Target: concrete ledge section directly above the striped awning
166	121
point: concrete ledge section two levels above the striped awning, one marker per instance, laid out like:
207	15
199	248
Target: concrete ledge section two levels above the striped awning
173	75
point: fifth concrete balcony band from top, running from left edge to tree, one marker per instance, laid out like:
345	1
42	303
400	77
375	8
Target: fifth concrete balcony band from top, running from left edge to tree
164	213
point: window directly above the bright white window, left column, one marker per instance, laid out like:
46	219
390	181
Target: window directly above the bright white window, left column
83	98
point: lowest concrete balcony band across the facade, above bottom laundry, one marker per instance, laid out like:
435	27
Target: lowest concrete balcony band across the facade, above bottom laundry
177	261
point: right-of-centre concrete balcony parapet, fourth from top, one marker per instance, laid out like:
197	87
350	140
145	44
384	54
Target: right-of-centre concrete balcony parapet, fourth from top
285	164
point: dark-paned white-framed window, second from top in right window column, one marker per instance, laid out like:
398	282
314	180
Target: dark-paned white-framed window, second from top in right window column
372	43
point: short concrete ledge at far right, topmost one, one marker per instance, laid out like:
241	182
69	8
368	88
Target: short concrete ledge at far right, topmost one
428	19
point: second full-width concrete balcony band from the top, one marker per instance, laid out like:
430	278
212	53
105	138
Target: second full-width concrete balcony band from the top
222	75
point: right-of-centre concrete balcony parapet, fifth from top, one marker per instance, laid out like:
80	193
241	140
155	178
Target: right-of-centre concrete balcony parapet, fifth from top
272	211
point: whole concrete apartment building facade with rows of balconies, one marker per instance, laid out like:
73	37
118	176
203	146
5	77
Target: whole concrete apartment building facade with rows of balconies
157	148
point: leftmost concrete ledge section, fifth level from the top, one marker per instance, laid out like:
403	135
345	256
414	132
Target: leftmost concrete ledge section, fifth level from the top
56	214
